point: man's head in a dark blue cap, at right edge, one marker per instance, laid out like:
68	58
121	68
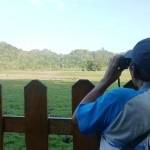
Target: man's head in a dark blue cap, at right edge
140	62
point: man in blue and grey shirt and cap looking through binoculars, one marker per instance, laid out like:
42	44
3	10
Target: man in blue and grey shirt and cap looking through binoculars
110	113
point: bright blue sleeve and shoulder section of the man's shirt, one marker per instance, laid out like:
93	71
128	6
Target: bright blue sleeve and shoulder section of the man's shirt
95	117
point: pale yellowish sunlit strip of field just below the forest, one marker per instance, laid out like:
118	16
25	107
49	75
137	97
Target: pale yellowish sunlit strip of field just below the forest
57	75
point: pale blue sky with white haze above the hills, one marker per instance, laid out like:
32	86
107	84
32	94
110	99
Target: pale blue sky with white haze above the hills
65	25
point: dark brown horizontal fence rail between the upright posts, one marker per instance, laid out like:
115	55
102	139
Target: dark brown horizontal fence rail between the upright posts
56	125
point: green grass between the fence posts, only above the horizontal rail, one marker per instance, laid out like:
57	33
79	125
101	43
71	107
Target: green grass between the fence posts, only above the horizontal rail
59	97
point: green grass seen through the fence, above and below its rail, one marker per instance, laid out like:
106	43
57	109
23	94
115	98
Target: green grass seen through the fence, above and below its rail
59	104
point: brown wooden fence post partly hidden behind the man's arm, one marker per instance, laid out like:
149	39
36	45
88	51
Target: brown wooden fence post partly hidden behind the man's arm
82	142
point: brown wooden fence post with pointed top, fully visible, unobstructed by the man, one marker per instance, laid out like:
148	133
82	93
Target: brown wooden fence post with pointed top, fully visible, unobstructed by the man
36	116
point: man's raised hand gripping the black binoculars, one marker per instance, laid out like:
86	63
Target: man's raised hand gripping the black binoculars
113	70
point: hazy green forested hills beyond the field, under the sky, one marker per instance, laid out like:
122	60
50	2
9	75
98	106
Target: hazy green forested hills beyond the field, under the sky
12	58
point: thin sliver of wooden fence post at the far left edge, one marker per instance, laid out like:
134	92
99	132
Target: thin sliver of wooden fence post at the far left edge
1	120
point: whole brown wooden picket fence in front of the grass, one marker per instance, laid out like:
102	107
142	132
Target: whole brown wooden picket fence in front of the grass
37	125
